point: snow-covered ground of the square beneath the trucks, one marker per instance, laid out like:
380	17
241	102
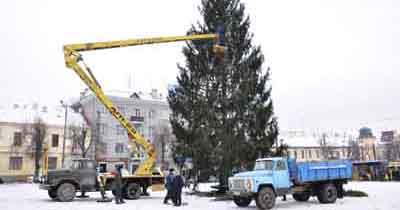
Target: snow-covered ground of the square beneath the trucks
382	196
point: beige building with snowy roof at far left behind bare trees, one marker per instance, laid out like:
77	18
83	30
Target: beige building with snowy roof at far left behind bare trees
17	151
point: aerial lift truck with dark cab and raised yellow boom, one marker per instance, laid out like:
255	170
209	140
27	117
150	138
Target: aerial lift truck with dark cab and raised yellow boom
62	184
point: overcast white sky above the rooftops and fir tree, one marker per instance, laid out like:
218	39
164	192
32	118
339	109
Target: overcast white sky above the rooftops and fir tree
335	64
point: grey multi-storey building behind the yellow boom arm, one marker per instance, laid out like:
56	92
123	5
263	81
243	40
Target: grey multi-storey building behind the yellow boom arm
149	114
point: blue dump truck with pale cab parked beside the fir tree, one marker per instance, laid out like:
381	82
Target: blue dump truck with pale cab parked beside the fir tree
279	176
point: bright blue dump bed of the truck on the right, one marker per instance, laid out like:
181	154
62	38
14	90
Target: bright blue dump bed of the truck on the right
320	171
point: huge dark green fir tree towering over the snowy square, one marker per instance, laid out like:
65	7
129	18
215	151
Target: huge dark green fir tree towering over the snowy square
222	112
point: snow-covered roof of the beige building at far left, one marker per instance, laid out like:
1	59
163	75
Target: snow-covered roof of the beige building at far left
28	113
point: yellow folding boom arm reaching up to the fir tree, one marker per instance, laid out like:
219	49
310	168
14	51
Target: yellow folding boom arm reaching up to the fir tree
73	60
